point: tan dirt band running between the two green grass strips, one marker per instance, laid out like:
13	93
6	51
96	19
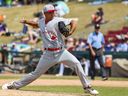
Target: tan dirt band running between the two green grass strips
48	82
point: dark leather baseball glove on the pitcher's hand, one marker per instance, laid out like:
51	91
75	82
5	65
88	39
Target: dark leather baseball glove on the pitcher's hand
63	29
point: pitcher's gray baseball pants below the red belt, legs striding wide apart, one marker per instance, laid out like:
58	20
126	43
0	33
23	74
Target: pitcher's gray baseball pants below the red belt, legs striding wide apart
49	59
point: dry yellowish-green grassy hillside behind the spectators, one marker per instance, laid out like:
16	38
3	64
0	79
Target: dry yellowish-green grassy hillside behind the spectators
114	12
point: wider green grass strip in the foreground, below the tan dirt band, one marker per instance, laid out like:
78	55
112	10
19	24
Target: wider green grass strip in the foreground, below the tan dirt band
104	91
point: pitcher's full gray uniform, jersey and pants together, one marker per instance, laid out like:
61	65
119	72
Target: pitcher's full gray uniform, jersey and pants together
52	39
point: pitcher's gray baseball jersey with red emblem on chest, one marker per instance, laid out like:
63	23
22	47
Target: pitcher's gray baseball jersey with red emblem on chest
51	36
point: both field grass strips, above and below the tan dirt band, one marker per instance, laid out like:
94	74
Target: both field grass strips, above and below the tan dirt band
104	91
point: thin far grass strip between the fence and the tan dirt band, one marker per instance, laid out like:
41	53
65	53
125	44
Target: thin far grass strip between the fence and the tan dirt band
16	76
